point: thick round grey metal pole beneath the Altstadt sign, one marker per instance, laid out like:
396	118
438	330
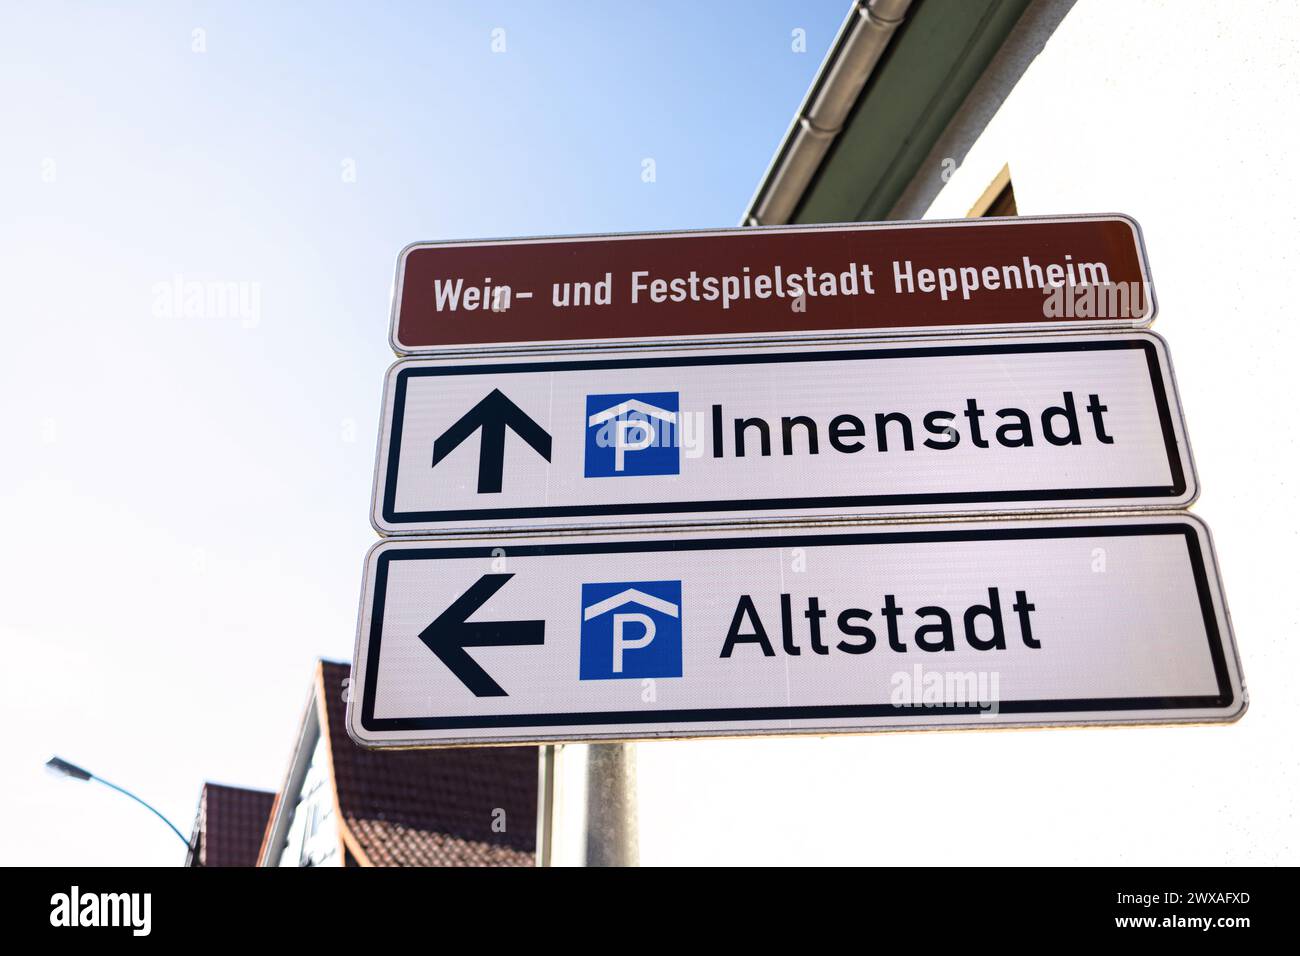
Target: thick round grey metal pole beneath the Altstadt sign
612	806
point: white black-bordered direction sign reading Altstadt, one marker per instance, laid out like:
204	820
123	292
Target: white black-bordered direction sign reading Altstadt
1037	622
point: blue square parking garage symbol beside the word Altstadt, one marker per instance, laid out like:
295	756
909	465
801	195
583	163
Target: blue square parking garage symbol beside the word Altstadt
631	630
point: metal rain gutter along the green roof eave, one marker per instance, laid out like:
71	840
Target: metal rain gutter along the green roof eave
863	40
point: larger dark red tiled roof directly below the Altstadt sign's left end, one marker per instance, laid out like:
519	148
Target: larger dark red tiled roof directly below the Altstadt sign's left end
471	807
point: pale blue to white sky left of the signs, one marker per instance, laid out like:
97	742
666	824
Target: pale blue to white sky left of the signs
185	492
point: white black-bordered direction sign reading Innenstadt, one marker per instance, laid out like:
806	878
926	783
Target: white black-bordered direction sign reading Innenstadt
740	436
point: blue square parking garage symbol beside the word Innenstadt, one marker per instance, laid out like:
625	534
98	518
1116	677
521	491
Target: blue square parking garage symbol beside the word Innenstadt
632	434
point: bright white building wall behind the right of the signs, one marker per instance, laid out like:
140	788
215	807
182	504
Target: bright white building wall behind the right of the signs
1182	115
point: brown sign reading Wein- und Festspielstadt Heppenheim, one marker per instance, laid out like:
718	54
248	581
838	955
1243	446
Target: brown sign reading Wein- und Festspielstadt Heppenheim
772	283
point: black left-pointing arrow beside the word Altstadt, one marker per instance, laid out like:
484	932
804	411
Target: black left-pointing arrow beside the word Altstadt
450	634
